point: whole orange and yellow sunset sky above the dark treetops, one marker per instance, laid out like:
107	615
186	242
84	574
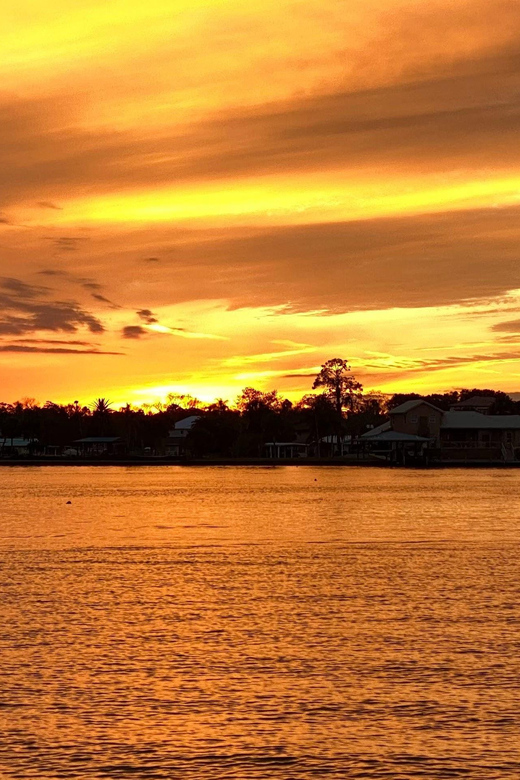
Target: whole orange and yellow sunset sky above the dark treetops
199	196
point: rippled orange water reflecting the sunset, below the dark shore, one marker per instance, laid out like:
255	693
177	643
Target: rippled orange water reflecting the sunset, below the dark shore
259	623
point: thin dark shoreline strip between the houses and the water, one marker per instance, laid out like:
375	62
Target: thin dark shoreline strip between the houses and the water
263	462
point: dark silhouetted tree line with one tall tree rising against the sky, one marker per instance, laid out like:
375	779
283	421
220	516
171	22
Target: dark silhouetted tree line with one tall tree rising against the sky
340	407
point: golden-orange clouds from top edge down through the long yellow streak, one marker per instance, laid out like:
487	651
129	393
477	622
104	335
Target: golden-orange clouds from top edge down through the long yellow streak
179	111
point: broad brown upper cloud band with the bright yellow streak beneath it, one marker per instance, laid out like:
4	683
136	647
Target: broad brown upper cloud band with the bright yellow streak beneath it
421	146
